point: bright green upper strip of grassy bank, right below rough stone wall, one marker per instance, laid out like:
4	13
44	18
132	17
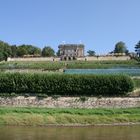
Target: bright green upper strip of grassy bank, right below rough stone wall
71	111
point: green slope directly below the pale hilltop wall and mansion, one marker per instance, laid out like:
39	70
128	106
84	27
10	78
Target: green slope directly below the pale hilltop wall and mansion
68	65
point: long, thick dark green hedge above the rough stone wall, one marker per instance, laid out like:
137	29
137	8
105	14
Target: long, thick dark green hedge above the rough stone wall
66	85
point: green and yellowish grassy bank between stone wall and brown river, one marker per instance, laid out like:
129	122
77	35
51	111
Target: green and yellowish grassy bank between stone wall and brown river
45	116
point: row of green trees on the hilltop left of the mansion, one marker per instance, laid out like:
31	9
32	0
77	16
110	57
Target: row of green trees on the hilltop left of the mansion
7	50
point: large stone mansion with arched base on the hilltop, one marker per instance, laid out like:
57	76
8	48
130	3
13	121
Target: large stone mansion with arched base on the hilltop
71	51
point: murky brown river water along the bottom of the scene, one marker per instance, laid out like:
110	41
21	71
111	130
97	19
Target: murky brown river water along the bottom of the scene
70	133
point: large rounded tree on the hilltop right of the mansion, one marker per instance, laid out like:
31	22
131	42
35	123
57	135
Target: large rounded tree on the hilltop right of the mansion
120	47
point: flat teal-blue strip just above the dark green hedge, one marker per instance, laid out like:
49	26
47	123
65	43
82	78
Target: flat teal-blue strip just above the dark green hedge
131	71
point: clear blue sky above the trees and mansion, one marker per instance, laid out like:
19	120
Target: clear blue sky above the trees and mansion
98	24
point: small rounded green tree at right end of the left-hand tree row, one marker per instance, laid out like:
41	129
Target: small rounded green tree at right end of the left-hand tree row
47	51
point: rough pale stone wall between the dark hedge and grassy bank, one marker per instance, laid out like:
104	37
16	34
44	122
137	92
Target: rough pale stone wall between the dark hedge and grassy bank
70	102
